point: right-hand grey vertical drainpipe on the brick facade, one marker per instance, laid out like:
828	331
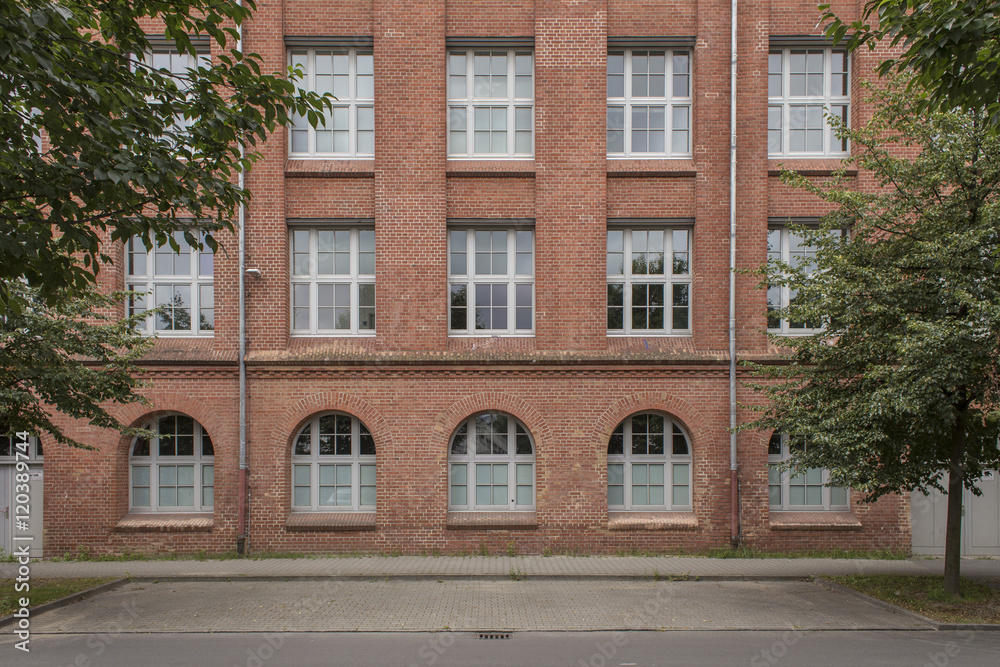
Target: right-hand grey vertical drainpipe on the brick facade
734	489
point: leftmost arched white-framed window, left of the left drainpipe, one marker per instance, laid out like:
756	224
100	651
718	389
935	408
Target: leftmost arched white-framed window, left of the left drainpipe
175	471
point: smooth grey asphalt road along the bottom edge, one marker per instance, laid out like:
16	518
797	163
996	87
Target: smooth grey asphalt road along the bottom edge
534	649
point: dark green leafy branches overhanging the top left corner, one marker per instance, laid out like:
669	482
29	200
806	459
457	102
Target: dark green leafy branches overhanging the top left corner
129	149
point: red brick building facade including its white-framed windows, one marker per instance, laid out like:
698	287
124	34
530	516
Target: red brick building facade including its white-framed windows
490	157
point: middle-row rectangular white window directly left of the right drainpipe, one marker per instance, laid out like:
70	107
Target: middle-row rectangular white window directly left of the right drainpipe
649	280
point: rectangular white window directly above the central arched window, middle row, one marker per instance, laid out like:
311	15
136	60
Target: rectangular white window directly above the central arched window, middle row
491	281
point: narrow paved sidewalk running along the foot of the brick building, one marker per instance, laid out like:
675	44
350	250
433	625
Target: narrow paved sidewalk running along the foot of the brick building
592	567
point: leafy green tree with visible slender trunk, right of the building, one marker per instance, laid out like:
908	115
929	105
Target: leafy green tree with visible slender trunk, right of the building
903	383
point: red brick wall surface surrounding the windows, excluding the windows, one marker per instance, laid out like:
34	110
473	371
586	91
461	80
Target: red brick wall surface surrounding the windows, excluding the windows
412	385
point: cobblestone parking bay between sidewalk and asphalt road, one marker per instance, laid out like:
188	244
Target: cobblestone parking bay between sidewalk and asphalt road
398	604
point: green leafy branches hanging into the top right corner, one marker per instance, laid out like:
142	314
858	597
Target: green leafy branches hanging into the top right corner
953	46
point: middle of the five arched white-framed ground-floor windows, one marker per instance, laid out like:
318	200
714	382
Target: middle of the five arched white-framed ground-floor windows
491	464
